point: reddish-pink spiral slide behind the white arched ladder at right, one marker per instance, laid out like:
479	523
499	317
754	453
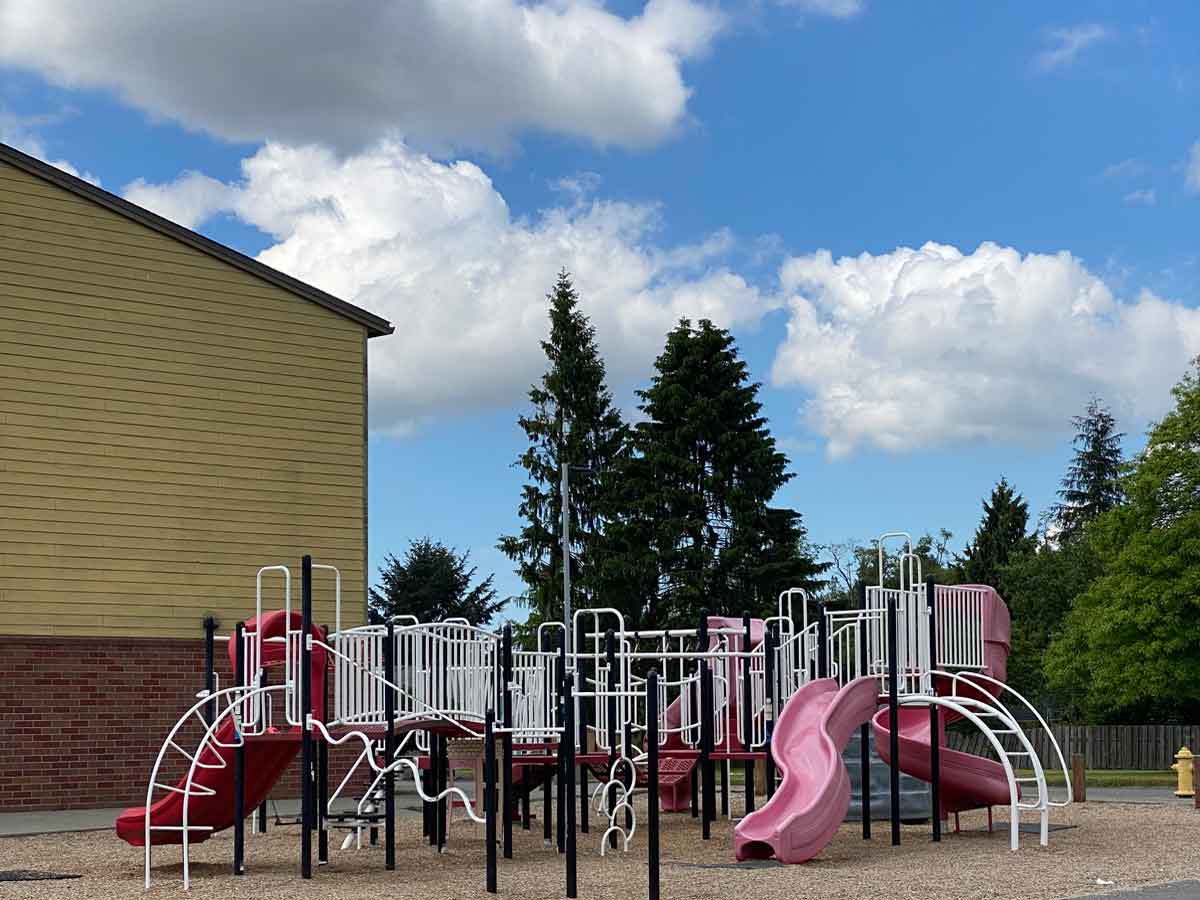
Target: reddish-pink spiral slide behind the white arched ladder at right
968	782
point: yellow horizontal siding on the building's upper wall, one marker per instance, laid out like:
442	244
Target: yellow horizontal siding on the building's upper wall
169	424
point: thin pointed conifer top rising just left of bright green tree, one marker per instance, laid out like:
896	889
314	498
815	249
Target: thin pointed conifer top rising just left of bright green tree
1093	484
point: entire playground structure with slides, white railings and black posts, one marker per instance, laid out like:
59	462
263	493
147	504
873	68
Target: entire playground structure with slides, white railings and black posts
637	711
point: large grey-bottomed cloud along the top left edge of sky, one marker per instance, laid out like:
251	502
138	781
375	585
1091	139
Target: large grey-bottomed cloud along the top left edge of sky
441	73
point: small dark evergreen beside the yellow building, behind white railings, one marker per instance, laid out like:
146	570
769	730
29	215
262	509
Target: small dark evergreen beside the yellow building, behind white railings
433	583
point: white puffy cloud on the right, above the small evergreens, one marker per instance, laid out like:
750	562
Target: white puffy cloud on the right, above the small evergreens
928	347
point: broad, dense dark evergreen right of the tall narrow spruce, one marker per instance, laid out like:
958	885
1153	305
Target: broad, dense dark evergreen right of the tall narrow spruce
694	529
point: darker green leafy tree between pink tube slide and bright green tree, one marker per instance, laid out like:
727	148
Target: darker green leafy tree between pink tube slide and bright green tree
1040	589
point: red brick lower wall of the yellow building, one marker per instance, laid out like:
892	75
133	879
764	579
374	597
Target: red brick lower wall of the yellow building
83	719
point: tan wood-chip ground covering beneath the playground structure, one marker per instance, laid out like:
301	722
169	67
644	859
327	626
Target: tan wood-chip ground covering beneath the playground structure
1130	845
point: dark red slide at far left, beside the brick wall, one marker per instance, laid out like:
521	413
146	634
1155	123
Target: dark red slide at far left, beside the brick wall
266	760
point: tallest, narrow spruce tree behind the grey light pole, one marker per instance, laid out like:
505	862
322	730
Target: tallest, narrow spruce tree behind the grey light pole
573	422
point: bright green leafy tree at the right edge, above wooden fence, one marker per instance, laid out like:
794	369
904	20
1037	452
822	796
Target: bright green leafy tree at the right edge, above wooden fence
1131	645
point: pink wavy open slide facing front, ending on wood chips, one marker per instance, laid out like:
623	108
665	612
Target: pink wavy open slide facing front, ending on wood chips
812	802
